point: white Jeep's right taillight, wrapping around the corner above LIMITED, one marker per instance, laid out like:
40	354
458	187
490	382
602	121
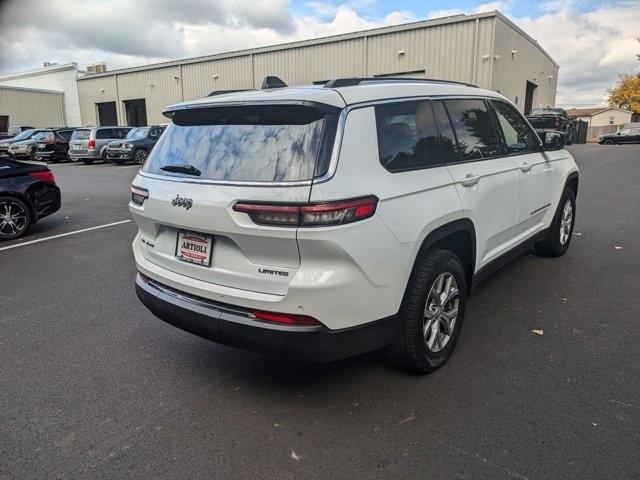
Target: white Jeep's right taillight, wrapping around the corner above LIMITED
310	215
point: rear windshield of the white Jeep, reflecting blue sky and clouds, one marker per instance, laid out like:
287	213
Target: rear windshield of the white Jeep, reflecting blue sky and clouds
265	143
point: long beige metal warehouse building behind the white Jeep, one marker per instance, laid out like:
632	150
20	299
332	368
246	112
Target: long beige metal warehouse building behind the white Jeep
485	49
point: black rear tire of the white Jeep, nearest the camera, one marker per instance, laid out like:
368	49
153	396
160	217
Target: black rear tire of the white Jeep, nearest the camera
410	348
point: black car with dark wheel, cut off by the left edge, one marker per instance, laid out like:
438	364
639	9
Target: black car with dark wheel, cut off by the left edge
28	192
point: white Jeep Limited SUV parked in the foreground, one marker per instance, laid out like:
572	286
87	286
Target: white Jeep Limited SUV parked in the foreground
325	221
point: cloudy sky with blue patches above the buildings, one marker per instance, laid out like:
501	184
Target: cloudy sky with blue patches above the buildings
593	41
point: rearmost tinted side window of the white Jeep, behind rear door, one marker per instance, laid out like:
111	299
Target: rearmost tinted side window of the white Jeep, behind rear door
407	136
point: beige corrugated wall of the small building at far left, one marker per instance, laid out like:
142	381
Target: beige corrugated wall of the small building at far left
33	108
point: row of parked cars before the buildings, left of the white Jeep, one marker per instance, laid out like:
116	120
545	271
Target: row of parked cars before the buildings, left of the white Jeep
86	144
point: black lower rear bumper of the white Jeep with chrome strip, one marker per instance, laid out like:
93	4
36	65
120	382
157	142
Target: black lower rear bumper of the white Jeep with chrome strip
235	327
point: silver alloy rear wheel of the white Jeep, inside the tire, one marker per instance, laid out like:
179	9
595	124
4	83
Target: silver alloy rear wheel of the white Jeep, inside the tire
441	312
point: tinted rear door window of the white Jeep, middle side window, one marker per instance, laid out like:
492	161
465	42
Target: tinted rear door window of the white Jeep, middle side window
474	130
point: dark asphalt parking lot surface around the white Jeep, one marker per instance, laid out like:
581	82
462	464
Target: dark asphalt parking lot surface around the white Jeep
94	386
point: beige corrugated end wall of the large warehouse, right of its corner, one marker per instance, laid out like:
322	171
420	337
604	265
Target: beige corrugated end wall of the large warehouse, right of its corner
512	70
